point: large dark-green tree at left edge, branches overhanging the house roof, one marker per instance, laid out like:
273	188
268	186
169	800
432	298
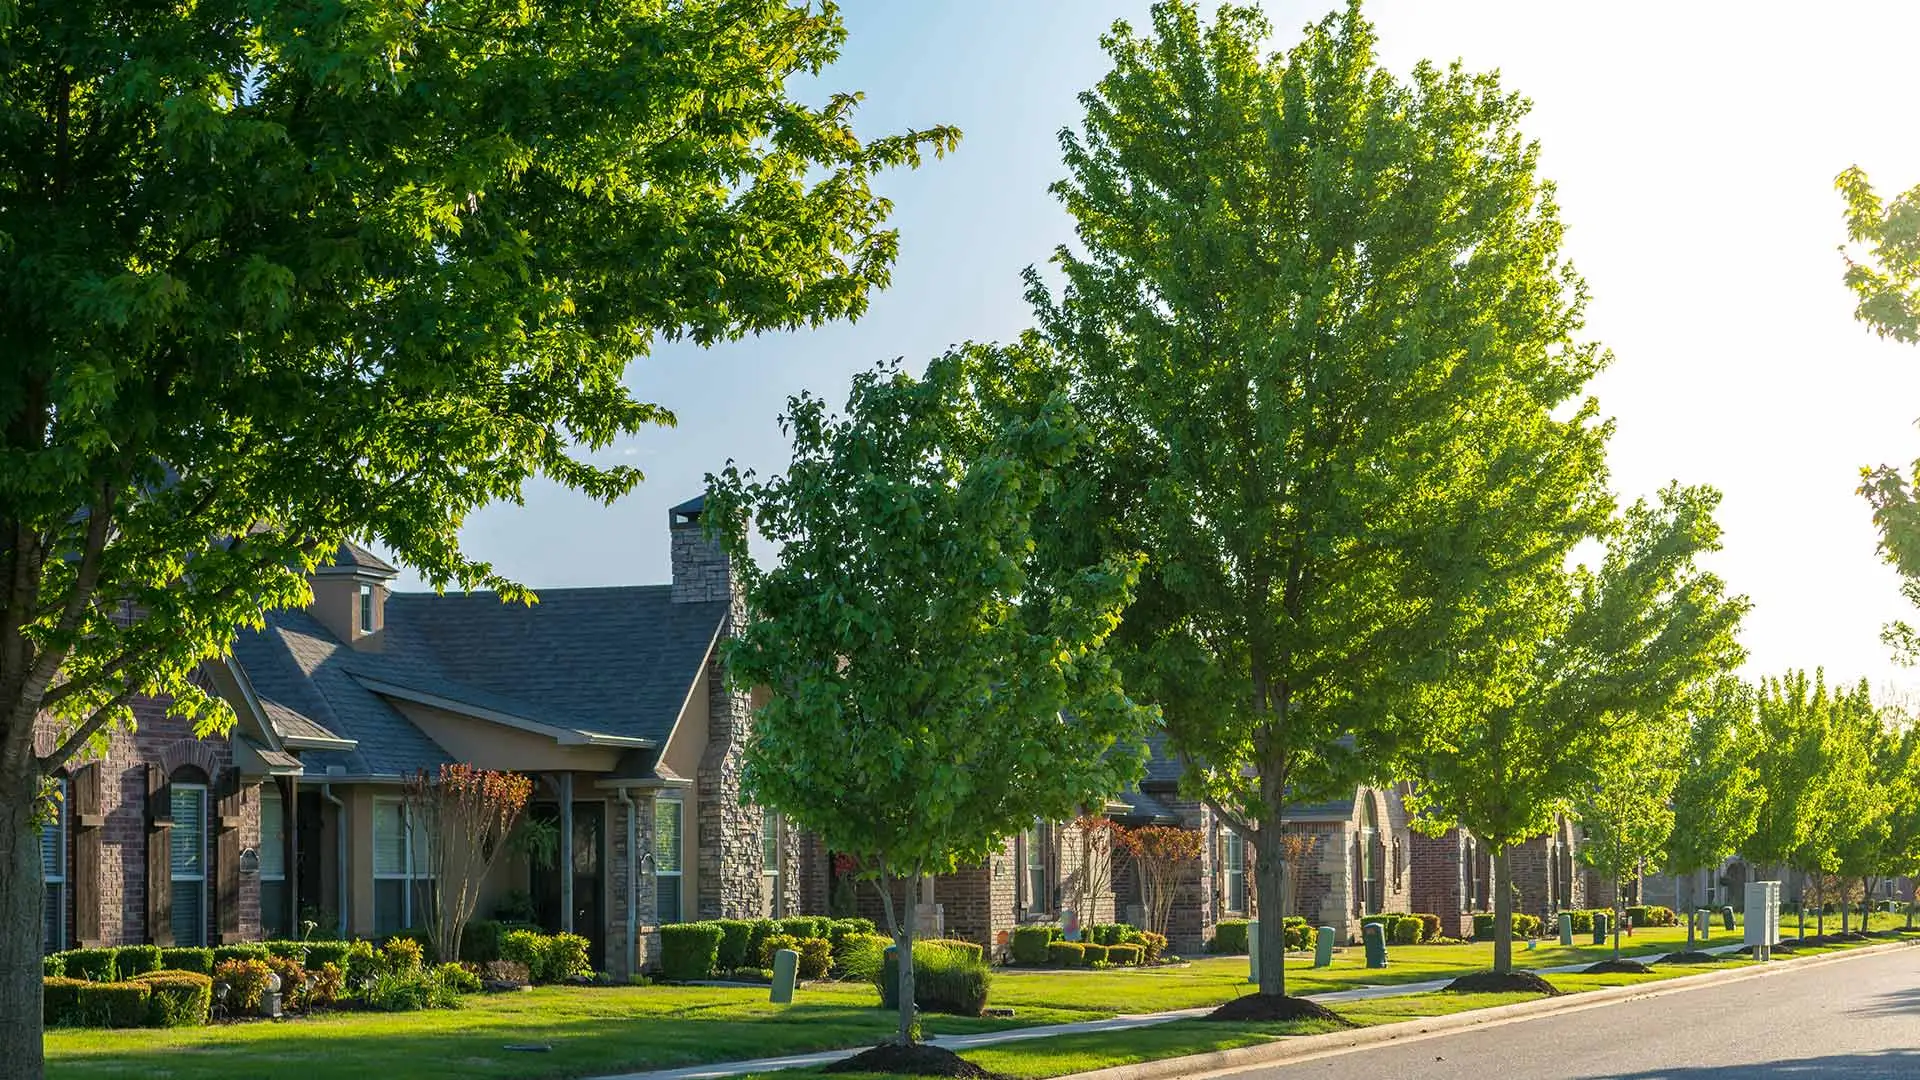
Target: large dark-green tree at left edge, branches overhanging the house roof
279	274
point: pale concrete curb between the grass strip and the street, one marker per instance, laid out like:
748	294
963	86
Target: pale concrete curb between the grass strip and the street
1299	1048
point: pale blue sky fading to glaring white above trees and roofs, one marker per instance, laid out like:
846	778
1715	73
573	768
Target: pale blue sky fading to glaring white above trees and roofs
1694	145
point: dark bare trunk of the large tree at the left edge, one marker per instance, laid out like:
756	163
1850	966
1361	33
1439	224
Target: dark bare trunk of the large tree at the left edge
20	931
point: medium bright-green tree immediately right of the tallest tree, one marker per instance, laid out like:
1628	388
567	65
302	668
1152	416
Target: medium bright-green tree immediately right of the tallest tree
1585	662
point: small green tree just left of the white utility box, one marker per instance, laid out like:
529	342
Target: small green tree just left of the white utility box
1717	795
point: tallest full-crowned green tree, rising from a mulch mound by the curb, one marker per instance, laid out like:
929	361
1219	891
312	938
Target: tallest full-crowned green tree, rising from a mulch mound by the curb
1320	320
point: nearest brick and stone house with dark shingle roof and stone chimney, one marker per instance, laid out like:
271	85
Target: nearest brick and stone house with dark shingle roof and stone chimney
612	699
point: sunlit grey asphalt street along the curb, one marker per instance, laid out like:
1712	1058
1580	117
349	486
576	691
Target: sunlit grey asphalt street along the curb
1852	1019
